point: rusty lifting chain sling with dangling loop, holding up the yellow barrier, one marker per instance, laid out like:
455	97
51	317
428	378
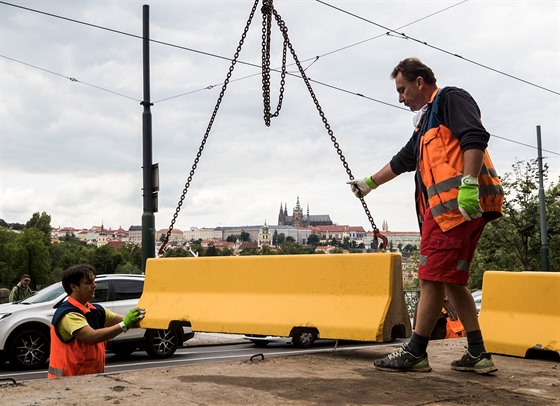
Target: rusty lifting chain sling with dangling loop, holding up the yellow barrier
267	11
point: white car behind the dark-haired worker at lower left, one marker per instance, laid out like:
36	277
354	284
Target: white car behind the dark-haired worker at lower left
25	326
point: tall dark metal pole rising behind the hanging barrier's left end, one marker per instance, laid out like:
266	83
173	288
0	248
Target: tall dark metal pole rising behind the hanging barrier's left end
149	171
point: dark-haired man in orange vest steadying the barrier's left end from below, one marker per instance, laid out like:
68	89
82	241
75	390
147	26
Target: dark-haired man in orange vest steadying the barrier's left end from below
80	329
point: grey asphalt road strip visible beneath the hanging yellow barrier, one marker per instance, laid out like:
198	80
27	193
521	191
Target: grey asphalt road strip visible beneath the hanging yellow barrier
198	354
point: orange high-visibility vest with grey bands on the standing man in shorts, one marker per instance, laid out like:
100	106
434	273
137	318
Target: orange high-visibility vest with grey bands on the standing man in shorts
441	166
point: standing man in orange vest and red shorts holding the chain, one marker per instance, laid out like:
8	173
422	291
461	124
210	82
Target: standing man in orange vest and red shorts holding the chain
457	193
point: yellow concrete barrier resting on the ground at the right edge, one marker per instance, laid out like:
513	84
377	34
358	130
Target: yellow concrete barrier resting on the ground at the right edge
520	312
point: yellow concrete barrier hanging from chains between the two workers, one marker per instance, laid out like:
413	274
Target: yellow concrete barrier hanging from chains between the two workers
352	297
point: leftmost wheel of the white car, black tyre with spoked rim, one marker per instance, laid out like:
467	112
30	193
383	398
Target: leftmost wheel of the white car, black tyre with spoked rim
29	349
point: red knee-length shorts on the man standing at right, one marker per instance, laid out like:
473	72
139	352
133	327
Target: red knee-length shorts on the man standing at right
447	256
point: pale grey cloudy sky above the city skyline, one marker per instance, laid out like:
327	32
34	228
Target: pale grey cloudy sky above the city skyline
73	148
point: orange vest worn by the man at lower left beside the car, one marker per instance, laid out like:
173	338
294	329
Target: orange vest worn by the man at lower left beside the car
76	357
